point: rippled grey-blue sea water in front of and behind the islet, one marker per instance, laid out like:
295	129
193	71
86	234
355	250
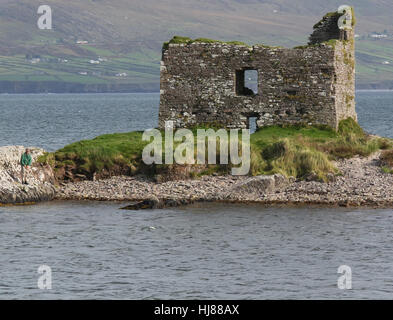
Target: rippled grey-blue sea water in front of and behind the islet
208	251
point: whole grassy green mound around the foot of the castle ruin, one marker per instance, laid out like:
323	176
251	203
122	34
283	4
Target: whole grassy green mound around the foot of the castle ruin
298	151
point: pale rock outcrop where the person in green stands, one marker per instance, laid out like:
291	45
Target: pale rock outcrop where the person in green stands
41	178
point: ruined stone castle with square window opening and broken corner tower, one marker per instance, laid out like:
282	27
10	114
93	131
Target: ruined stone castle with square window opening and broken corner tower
205	81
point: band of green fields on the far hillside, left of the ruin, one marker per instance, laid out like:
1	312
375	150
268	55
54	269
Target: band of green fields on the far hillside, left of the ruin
113	68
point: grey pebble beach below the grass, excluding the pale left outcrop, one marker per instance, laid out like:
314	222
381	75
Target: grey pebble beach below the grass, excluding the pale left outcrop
362	183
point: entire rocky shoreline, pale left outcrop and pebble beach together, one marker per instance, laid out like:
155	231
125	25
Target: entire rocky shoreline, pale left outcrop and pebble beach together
362	182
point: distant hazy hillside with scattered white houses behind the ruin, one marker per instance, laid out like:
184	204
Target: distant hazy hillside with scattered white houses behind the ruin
124	38
